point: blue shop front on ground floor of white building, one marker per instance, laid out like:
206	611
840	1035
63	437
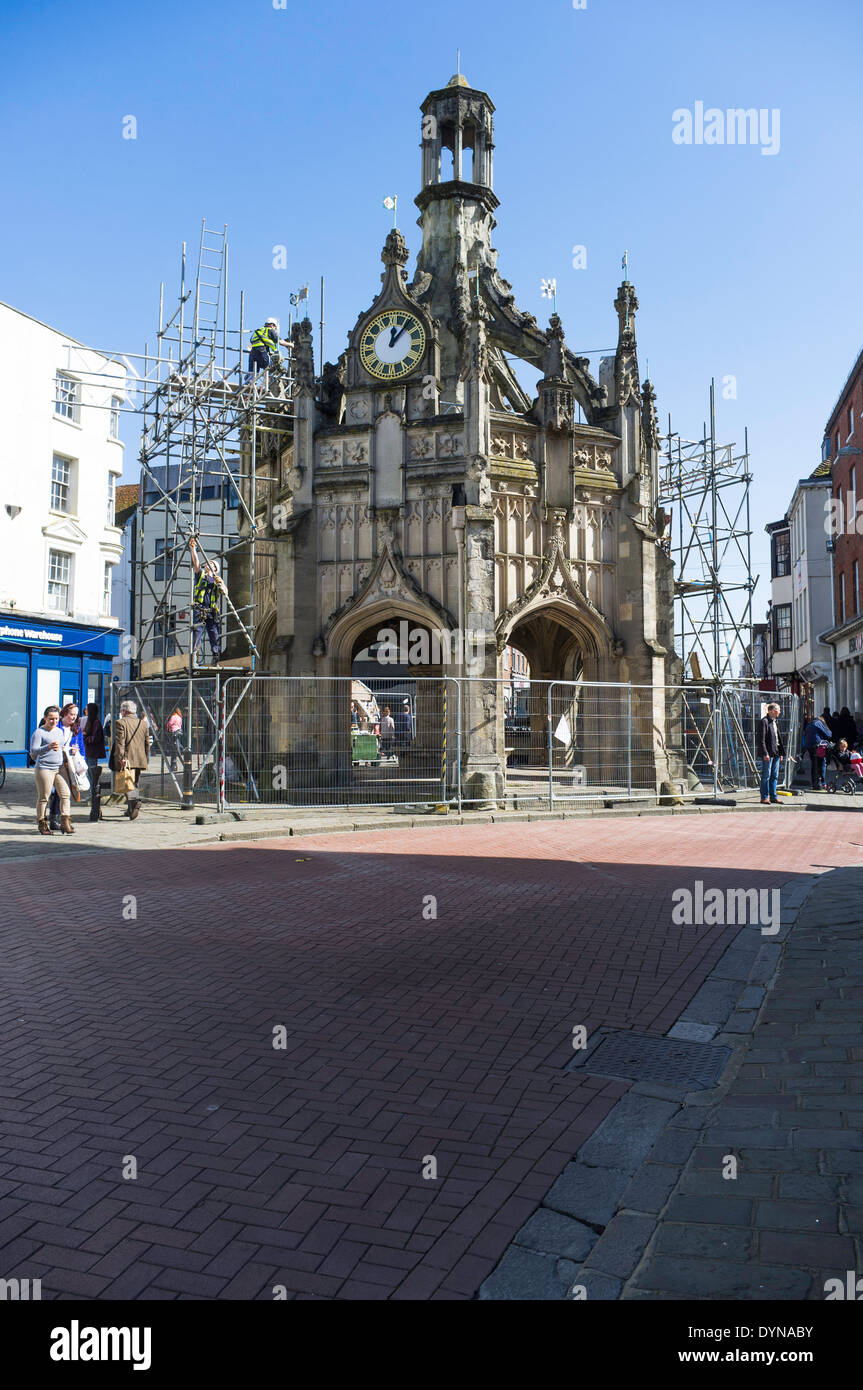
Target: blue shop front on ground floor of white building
48	664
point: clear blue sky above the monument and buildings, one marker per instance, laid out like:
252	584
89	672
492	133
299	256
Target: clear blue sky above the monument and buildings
291	126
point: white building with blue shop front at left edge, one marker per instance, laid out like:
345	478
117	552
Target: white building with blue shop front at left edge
60	459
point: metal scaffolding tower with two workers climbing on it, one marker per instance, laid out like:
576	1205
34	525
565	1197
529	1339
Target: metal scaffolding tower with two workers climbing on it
213	443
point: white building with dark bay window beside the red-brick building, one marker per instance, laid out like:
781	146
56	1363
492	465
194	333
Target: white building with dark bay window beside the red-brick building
801	589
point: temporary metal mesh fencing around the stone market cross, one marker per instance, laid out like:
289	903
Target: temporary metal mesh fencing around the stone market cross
248	742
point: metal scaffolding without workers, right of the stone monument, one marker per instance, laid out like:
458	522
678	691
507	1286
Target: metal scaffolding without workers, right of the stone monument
705	489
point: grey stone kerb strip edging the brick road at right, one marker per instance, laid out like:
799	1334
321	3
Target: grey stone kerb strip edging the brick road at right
611	1197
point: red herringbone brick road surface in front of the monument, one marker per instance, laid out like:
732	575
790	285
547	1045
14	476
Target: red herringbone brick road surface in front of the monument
406	1038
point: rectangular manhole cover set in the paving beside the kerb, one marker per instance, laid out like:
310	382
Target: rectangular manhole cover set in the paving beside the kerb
636	1057
